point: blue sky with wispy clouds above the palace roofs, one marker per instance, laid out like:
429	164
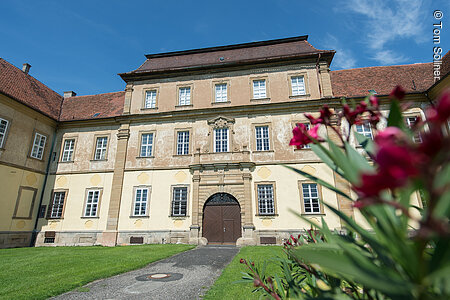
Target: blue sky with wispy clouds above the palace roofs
82	45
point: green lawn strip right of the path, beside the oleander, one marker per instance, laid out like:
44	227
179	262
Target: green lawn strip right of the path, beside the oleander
225	288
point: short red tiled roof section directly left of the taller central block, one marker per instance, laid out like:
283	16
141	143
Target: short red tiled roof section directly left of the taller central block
92	106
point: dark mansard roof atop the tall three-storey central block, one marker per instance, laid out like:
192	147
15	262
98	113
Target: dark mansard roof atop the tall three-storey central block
228	55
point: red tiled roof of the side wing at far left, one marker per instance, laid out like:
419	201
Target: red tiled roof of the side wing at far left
26	89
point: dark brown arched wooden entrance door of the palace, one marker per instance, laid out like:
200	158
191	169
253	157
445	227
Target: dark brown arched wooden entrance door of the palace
221	219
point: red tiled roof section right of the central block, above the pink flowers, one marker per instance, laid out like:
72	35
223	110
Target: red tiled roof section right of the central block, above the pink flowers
358	82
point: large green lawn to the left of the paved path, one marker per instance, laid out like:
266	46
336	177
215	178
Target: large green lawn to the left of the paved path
39	273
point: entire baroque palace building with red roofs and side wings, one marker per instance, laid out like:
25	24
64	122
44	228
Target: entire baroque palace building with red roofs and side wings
192	151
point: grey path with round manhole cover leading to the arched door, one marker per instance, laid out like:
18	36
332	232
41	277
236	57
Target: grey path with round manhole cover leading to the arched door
191	275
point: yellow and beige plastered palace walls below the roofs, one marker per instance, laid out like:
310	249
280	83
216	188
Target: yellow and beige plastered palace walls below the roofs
112	179
